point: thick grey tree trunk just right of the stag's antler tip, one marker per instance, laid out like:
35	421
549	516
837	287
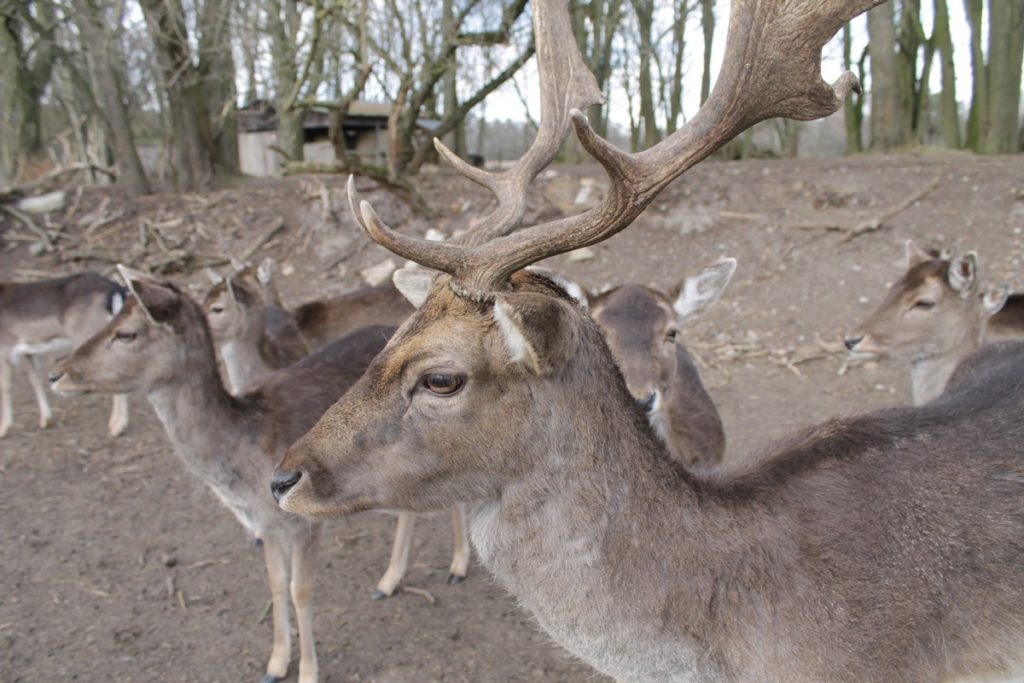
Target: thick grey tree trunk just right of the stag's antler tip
887	118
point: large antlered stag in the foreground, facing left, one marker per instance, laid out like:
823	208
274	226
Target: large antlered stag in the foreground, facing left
886	547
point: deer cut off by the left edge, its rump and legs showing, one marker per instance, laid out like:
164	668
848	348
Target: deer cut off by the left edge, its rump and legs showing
52	317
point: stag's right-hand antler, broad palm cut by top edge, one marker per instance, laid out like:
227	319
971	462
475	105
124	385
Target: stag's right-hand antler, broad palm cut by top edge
772	69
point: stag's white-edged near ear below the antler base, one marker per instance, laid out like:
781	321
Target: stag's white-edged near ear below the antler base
536	330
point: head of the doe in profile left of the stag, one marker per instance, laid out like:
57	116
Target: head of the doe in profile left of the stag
145	346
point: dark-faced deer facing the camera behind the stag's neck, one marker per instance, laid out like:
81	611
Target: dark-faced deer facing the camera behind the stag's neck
643	327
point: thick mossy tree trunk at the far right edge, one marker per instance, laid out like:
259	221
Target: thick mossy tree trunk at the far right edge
1006	47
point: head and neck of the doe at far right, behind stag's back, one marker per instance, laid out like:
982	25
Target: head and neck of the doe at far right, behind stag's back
933	318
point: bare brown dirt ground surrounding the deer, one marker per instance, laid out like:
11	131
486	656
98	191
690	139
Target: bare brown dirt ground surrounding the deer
117	566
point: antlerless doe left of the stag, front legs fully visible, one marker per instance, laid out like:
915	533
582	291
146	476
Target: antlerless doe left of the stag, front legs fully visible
160	345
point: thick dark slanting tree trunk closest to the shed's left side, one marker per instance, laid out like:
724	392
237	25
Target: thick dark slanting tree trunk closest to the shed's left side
187	101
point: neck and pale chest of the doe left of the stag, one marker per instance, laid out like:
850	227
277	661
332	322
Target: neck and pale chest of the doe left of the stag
218	437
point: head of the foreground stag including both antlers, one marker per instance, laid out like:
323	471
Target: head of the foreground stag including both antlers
498	370
